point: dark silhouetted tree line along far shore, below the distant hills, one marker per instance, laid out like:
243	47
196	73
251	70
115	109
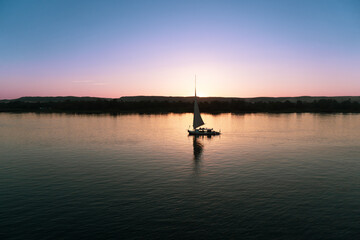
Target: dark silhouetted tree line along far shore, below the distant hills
234	106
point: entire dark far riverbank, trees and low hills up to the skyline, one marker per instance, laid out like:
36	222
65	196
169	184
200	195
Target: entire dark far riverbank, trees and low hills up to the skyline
181	105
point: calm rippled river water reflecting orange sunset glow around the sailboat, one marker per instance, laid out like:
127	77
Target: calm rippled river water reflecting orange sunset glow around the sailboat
268	176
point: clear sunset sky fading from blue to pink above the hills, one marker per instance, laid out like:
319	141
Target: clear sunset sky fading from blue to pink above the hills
236	48
